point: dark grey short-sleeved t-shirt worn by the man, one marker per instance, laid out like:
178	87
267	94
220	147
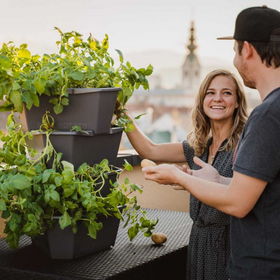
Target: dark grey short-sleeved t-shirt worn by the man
255	239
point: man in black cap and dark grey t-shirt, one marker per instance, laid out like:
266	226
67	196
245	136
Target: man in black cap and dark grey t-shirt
252	196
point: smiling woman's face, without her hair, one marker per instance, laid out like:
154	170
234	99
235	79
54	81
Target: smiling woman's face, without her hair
220	100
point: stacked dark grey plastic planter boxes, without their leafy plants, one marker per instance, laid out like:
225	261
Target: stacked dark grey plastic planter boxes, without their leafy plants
92	110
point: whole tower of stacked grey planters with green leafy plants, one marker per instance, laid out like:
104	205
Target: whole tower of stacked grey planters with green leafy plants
68	101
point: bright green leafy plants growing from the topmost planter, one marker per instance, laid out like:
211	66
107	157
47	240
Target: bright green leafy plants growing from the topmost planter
78	64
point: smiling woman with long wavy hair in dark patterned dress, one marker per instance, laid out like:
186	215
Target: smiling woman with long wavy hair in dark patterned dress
218	118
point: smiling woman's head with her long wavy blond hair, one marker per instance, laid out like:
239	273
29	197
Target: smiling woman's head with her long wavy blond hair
219	106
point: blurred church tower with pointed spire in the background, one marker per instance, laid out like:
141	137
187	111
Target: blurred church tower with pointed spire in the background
191	66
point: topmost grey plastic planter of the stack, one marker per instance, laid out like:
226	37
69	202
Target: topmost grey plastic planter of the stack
92	109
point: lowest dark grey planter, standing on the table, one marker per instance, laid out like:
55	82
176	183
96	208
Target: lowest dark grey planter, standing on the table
64	244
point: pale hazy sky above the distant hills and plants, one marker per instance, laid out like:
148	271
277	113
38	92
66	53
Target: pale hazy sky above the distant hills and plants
132	26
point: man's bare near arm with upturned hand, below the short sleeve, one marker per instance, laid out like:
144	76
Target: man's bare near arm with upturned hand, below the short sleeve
236	199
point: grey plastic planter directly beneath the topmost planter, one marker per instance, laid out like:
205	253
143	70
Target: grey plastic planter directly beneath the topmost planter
78	147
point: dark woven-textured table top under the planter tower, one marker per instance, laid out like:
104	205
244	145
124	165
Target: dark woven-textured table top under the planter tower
28	262
